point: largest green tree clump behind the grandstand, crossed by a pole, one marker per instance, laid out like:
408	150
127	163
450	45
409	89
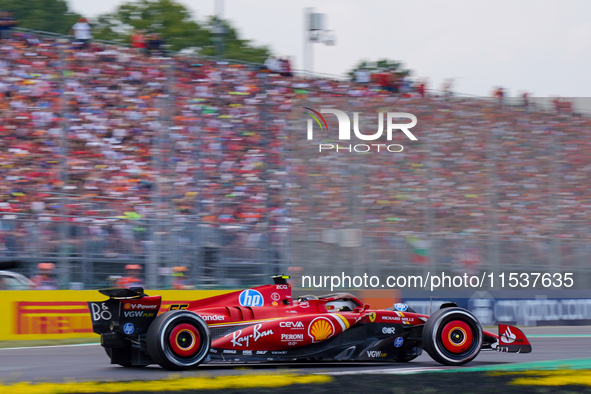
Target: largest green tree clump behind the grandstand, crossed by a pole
176	26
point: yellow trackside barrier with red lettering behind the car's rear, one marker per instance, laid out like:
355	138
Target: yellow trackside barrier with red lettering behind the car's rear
56	314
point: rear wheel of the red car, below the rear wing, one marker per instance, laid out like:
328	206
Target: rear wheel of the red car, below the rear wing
178	340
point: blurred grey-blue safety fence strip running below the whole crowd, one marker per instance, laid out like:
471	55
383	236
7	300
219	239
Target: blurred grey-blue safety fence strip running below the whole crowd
92	252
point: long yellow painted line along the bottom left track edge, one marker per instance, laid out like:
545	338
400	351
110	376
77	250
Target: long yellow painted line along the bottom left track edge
171	384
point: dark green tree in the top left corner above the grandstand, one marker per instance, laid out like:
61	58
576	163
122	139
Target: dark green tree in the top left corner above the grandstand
45	15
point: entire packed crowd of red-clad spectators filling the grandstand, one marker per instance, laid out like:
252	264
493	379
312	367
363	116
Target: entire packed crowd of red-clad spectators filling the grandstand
127	136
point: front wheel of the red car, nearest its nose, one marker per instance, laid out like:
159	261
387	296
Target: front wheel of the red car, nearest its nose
452	336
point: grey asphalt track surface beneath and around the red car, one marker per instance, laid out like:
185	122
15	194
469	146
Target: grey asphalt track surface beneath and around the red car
90	363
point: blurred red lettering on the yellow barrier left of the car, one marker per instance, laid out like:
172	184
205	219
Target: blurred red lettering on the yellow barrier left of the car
52	317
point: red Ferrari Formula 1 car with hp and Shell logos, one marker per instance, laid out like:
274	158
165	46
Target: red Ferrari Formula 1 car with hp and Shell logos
265	324
